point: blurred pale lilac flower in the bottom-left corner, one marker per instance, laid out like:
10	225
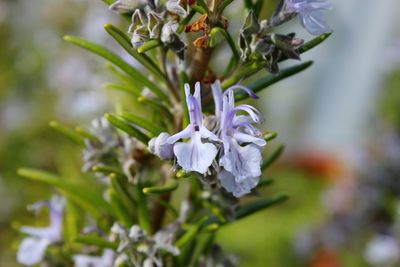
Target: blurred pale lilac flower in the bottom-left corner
31	250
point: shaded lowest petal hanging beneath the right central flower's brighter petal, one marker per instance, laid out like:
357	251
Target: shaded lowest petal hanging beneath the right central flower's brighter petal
238	189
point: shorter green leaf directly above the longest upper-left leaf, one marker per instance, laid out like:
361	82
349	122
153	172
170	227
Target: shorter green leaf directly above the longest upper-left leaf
126	44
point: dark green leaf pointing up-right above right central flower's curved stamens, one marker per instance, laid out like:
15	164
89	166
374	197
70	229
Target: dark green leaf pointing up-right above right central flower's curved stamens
270	79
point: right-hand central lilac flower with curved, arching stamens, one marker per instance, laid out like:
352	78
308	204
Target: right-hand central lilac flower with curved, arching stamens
241	155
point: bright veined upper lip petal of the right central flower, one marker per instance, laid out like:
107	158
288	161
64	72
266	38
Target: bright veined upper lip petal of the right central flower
241	161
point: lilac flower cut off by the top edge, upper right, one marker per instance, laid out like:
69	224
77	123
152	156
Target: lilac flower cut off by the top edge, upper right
310	14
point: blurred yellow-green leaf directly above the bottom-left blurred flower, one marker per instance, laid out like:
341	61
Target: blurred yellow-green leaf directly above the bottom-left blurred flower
92	201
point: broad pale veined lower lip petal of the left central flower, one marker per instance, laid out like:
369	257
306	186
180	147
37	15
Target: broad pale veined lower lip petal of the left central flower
195	155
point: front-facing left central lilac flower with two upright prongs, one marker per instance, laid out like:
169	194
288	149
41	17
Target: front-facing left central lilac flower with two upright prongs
195	155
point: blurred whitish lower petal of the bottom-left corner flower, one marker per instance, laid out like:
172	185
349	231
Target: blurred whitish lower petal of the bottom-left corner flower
31	250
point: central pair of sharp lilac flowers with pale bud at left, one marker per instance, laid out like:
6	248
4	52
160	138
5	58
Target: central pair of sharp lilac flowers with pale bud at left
232	149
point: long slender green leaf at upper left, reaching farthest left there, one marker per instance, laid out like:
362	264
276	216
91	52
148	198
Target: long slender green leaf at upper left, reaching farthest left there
118	61
